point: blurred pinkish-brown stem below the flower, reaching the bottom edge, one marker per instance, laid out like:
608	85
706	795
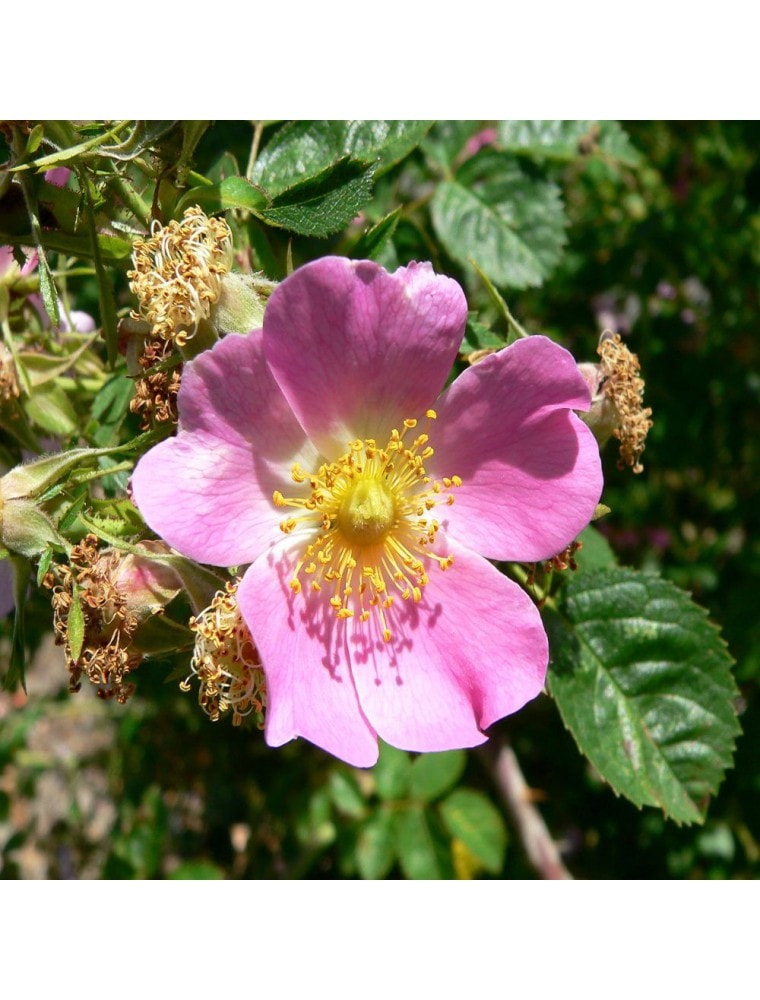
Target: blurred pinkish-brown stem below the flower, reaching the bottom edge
543	854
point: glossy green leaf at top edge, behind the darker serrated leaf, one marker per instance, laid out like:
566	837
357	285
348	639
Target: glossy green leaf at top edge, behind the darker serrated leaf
303	149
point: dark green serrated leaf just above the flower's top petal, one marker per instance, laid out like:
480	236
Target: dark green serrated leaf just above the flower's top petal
323	204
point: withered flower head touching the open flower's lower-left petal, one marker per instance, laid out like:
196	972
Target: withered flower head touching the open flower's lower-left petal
226	662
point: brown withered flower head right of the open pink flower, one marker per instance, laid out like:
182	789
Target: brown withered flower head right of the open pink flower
617	392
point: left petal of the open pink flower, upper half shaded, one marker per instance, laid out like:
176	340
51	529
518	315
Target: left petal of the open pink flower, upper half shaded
208	492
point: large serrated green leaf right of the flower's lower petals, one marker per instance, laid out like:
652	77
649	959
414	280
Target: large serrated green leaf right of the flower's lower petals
643	681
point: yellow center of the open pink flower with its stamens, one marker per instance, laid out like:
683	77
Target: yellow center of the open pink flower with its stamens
368	515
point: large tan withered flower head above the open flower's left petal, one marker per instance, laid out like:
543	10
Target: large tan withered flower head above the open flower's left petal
178	272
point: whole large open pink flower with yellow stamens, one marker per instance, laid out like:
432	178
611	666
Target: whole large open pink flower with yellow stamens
319	453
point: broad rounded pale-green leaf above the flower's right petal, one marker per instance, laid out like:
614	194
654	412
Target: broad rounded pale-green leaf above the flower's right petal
511	225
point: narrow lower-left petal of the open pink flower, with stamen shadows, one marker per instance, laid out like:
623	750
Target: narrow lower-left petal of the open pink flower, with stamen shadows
310	691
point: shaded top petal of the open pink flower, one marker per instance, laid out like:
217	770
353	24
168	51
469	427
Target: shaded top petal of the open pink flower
357	350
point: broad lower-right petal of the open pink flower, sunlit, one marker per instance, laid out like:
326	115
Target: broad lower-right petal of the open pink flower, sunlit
473	651
